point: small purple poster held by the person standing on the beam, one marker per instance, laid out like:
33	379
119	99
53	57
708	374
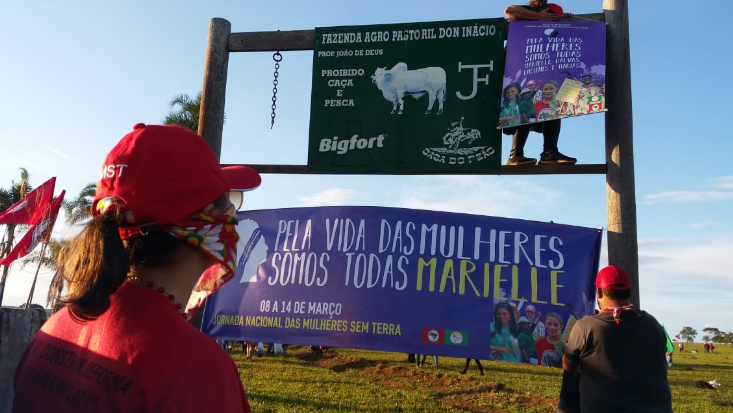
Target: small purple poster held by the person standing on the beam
553	70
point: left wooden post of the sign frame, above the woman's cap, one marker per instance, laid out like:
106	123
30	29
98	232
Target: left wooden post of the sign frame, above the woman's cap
213	94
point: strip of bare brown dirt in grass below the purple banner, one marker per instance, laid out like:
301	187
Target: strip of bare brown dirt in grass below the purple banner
470	393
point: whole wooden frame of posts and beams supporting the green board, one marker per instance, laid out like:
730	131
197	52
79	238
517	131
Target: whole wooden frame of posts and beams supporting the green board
619	166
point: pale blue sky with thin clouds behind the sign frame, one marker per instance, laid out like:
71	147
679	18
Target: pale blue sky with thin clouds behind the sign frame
78	75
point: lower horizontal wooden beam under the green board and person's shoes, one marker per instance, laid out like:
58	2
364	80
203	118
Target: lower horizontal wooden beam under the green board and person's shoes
503	170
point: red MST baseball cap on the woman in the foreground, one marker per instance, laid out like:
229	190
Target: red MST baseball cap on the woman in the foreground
164	173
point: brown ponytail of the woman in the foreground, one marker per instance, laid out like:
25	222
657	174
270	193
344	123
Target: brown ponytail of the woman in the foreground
94	264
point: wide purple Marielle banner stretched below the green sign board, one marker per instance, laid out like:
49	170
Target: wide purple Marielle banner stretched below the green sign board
406	280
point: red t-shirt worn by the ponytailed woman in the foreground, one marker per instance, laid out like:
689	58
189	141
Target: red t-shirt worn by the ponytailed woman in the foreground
139	356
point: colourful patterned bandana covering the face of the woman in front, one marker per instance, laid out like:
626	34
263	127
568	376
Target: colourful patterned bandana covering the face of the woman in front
216	236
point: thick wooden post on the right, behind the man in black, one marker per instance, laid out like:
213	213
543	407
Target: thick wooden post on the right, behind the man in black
623	249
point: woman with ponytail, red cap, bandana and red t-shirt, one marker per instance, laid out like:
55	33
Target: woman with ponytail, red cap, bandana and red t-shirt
161	239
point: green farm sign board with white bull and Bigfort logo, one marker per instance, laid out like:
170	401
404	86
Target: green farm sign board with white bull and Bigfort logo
407	98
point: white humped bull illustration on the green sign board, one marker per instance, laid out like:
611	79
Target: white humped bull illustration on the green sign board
397	82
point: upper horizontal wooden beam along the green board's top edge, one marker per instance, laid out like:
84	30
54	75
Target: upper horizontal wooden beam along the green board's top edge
305	39
